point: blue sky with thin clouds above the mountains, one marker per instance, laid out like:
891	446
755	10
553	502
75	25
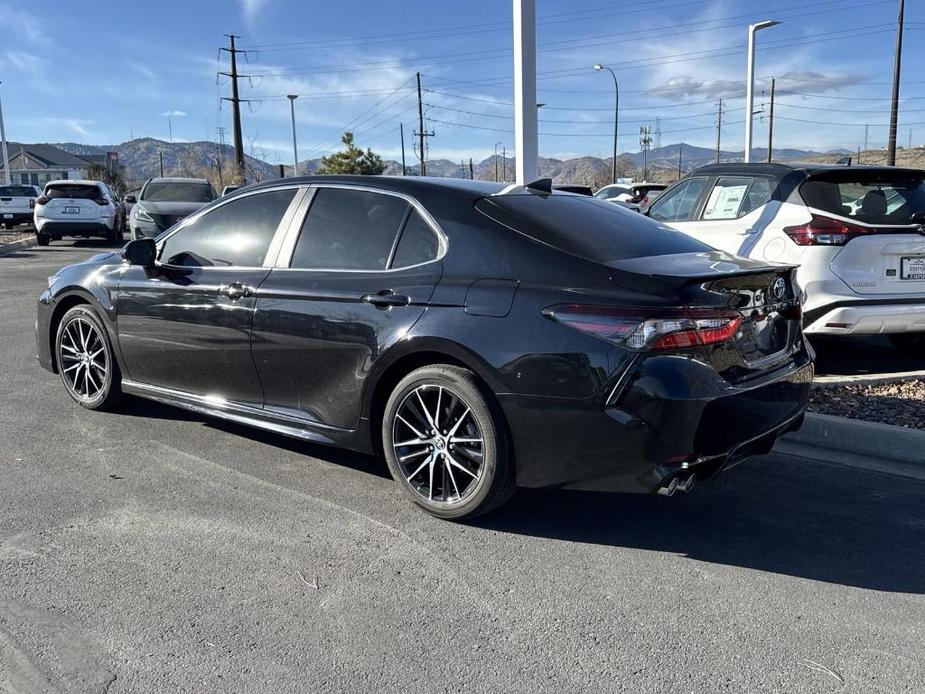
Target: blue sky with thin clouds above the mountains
102	72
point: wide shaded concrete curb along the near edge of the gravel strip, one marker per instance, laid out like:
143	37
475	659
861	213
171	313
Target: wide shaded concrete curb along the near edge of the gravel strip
856	443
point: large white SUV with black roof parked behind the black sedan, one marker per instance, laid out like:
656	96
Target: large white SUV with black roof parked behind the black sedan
857	233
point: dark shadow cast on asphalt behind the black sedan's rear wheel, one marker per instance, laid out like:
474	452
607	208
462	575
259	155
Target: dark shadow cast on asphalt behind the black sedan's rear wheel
783	515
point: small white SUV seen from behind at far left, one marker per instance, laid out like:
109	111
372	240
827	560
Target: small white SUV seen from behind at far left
78	208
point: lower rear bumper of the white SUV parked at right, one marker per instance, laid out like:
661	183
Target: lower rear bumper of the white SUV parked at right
868	317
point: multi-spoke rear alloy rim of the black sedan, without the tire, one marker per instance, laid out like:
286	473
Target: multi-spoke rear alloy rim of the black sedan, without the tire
438	444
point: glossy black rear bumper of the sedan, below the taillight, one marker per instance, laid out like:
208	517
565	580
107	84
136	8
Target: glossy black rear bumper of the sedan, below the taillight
674	417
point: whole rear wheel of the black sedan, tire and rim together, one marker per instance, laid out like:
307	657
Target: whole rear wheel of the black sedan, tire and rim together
492	459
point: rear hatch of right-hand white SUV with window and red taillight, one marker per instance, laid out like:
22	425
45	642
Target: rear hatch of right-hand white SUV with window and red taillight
877	215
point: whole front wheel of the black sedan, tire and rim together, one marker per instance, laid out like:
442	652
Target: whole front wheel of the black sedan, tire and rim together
73	330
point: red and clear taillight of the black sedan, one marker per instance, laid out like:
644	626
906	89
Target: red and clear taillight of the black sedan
642	329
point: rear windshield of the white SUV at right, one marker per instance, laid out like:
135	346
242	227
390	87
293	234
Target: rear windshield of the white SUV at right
875	198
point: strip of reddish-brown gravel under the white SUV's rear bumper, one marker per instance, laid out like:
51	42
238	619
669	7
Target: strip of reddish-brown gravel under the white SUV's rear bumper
902	404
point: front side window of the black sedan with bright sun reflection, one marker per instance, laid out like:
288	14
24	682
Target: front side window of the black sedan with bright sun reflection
237	233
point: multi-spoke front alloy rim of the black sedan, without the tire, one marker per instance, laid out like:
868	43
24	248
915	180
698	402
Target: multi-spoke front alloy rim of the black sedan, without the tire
84	361
